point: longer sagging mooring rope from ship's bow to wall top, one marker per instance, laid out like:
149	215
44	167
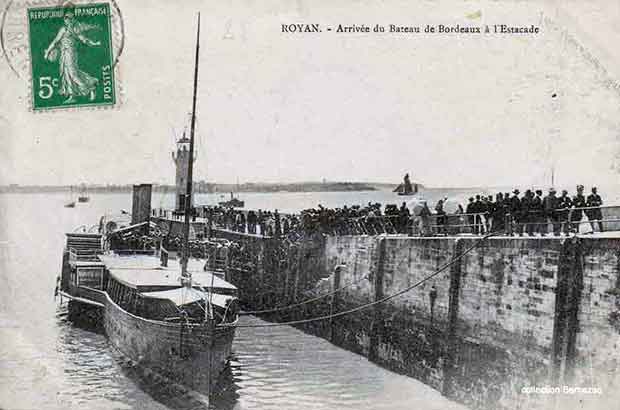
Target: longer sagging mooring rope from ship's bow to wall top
376	302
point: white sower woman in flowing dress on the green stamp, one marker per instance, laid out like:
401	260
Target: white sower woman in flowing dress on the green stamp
73	81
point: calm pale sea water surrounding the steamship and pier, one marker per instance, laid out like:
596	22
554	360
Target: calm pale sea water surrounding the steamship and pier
48	363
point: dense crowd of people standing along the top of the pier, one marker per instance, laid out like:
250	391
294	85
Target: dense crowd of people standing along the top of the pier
530	213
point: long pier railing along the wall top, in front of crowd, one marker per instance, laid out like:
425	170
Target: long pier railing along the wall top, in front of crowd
603	218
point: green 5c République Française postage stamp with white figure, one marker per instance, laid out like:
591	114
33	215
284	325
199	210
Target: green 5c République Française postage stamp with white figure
71	56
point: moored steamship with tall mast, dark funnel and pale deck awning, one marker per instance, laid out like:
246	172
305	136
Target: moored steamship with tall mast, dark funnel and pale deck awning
169	315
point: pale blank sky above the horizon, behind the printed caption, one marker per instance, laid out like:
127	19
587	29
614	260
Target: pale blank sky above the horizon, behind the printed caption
452	110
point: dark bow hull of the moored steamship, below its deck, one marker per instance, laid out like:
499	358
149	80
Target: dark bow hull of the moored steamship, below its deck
190	355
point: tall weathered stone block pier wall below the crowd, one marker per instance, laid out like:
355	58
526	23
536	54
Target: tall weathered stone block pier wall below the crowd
495	316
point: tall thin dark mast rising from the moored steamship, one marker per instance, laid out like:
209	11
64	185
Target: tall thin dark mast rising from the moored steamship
188	191
